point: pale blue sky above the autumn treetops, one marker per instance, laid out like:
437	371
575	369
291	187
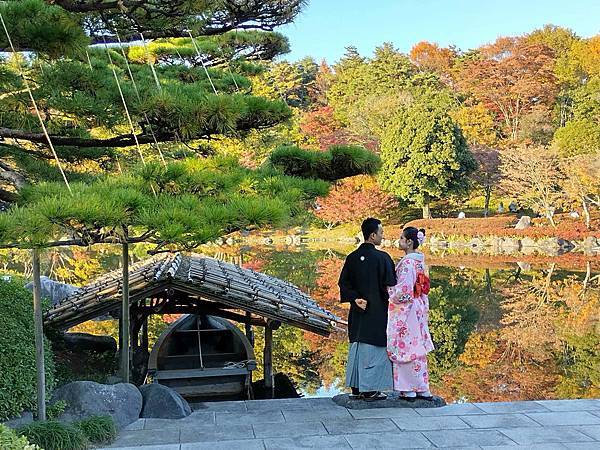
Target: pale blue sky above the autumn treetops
326	27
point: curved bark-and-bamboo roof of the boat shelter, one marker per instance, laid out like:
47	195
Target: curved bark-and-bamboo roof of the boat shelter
200	277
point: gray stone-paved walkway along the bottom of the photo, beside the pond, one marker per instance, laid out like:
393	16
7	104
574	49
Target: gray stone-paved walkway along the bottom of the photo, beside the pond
319	423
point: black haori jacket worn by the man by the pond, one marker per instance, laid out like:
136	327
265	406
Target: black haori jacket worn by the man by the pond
367	273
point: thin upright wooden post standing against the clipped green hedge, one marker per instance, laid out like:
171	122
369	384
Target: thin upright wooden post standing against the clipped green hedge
39	337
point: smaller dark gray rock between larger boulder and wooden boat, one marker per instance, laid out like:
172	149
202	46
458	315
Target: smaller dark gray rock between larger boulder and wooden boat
162	402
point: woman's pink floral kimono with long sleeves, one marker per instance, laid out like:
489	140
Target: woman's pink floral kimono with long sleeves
408	338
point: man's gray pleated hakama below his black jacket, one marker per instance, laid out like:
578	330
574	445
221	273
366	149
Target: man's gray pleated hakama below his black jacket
369	368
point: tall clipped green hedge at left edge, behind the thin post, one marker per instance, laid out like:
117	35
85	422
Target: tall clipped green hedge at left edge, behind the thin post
17	352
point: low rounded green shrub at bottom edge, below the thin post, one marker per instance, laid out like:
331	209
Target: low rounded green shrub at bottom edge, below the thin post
54	435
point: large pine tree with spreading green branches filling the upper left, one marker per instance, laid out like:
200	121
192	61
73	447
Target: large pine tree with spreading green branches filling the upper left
136	109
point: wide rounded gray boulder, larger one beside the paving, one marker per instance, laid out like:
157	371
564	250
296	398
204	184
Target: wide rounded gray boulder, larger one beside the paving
123	401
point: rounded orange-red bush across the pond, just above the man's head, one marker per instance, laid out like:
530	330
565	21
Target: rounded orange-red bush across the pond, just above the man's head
353	199
